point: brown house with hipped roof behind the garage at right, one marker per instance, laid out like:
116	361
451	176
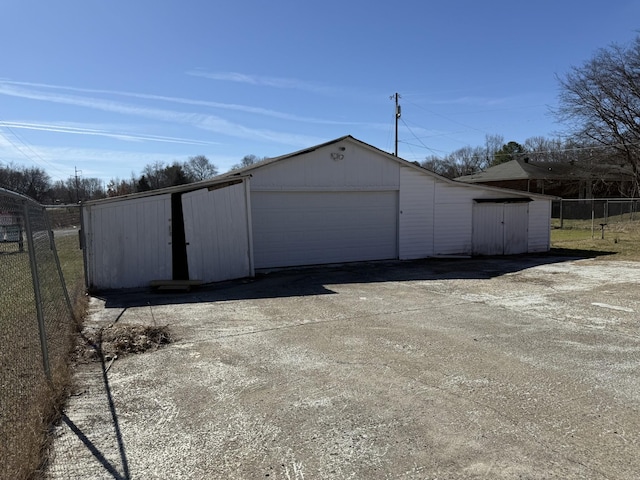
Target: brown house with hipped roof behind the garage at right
566	180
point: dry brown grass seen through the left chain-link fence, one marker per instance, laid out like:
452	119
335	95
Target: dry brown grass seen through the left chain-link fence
31	402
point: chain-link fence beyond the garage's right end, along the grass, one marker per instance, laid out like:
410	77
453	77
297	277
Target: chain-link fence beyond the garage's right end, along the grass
594	213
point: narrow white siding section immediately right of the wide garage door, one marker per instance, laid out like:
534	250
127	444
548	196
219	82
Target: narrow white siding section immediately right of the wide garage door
416	214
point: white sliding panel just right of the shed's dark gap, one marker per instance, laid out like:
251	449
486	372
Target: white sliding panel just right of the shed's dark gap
216	230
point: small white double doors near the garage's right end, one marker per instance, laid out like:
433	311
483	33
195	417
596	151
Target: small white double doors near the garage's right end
500	228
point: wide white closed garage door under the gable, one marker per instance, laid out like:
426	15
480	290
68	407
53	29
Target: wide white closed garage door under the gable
308	228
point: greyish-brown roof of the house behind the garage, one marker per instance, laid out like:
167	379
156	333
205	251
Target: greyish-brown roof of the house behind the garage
521	169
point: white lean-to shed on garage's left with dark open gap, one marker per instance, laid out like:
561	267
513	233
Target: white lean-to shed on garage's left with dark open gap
200	231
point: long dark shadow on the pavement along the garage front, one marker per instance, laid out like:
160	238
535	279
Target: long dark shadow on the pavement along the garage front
313	280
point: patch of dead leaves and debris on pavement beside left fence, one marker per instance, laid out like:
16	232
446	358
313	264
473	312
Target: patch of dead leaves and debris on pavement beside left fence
119	340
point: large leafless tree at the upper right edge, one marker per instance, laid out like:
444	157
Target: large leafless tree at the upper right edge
600	101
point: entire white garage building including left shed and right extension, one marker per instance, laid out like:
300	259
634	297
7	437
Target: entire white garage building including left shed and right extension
342	201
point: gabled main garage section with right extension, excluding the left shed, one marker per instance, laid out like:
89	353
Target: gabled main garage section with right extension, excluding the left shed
347	201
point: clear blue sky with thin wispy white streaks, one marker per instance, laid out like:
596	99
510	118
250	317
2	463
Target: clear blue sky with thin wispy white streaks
110	86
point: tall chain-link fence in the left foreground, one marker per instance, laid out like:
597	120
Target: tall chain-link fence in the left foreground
36	334
